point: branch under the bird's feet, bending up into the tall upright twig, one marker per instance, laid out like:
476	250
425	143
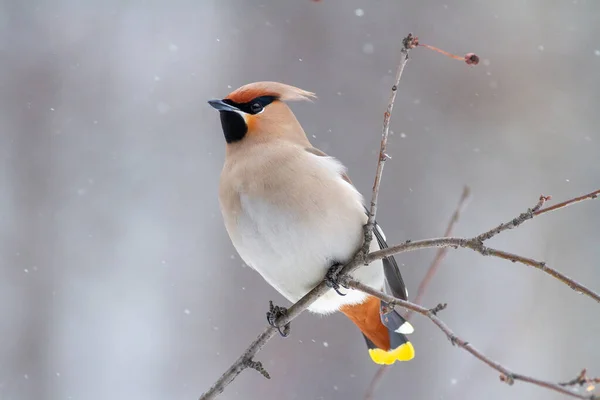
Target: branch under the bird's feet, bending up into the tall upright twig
246	359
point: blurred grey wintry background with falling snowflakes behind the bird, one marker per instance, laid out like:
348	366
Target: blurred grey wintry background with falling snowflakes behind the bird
117	278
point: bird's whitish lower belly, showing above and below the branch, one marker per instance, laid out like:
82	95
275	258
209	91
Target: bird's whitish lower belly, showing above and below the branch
293	252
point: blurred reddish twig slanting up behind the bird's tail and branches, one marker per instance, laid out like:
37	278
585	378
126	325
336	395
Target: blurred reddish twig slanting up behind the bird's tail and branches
433	268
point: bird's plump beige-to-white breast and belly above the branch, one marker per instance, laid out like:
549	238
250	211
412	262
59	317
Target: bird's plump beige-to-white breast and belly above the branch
292	218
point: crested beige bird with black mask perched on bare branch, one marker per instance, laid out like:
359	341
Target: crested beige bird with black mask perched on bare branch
294	216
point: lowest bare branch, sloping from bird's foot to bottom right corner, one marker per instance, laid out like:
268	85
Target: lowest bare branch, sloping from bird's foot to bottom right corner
506	375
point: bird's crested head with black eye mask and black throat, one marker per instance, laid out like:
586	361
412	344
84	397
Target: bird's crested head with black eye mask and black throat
259	110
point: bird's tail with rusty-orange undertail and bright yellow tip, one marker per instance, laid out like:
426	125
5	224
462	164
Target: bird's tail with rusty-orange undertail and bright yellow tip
384	330
